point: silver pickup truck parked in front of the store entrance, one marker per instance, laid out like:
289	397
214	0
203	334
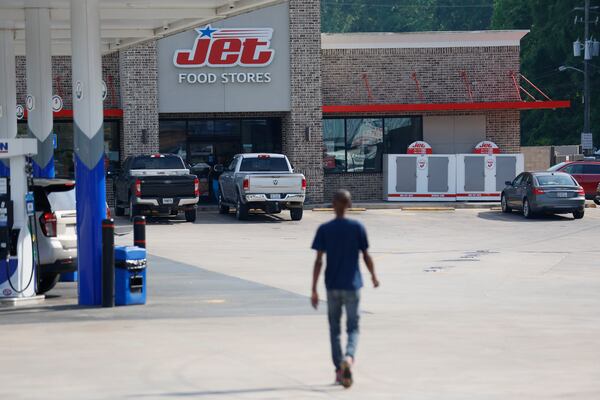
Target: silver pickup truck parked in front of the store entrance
261	181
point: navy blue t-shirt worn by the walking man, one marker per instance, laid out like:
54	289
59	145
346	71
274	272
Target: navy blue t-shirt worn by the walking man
342	240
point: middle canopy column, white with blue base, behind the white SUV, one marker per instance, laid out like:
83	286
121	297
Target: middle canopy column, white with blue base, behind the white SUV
39	88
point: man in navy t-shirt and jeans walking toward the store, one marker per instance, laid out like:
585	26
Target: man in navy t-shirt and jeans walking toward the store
342	240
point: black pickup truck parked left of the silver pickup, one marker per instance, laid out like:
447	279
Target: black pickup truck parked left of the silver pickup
158	184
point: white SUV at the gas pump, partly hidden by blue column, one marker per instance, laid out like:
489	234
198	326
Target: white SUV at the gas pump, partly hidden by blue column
56	230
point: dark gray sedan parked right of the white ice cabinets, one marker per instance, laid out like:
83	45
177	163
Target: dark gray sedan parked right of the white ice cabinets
544	192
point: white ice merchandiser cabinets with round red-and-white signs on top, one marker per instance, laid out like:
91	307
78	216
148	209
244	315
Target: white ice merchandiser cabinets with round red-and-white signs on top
421	175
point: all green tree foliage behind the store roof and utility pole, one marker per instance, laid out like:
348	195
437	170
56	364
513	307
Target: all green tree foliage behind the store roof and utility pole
544	49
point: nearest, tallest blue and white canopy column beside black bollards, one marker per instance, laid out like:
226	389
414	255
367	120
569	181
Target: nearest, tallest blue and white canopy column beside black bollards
89	146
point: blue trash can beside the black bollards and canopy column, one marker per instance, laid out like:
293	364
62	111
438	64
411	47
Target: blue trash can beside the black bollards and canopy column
130	275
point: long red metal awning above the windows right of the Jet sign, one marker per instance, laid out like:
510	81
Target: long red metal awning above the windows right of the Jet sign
476	106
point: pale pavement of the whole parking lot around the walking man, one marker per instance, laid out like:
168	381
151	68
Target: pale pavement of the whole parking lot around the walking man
474	304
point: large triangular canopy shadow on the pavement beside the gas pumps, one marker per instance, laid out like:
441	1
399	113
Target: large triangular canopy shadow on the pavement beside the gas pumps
175	291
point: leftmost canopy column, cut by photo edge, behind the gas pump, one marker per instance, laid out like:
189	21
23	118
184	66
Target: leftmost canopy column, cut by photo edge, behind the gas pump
8	92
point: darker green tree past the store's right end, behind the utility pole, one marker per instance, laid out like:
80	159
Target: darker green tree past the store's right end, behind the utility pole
546	47
